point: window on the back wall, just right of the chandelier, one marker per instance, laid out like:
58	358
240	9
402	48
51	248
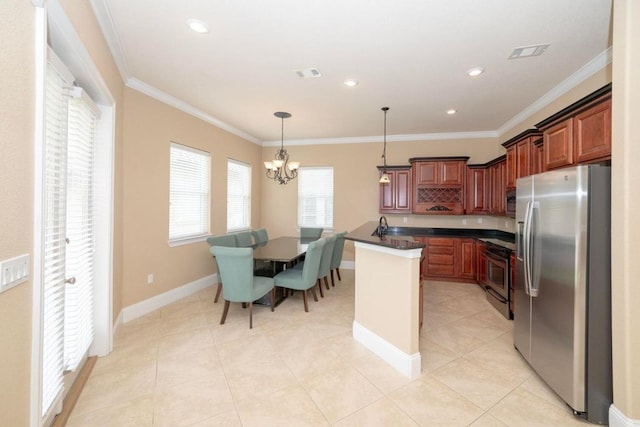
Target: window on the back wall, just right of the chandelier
315	197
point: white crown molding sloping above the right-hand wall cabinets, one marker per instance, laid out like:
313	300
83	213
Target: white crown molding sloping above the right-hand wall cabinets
586	71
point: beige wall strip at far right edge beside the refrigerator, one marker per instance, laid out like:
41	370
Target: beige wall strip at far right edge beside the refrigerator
625	208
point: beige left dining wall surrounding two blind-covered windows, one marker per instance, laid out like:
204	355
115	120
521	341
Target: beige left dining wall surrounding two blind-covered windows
149	126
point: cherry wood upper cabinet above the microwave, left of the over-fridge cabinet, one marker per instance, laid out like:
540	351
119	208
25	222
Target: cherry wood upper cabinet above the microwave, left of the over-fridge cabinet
521	152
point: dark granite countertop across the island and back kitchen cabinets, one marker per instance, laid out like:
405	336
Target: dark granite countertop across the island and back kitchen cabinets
402	237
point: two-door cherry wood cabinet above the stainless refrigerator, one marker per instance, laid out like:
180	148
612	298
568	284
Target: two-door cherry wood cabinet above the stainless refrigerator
580	133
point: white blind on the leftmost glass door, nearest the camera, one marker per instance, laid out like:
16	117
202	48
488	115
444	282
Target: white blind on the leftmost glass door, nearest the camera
54	231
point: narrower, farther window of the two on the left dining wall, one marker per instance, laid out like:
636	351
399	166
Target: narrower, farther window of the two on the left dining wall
238	195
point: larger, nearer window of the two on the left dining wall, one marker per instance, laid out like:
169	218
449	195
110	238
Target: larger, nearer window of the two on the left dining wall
188	193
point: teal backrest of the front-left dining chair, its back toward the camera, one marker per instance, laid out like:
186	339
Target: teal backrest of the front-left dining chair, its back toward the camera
236	267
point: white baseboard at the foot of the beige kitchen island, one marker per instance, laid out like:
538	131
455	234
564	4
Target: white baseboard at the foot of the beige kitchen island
407	364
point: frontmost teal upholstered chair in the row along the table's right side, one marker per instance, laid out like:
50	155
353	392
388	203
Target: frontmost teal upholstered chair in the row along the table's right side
303	279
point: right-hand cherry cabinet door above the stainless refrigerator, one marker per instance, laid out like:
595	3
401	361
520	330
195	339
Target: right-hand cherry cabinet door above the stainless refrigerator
592	133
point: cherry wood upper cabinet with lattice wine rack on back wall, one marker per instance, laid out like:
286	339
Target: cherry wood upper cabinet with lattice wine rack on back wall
438	185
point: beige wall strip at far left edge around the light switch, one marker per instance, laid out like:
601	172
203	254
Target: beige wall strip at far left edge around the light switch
17	69
